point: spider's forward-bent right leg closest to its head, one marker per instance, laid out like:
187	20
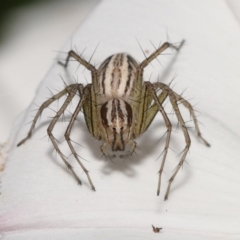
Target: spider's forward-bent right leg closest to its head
169	129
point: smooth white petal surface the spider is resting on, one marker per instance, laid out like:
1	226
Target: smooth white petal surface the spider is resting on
37	191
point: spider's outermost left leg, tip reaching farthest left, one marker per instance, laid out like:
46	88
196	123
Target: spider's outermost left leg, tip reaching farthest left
67	90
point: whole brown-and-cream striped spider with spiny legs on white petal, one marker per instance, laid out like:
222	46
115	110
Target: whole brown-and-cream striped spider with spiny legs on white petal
118	107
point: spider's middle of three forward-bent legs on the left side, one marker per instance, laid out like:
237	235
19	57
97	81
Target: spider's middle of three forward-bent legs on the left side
51	126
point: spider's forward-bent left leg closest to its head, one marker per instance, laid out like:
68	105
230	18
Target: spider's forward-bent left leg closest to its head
68	132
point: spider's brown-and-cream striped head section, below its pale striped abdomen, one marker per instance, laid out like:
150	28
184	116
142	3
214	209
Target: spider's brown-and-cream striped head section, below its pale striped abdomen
116	116
